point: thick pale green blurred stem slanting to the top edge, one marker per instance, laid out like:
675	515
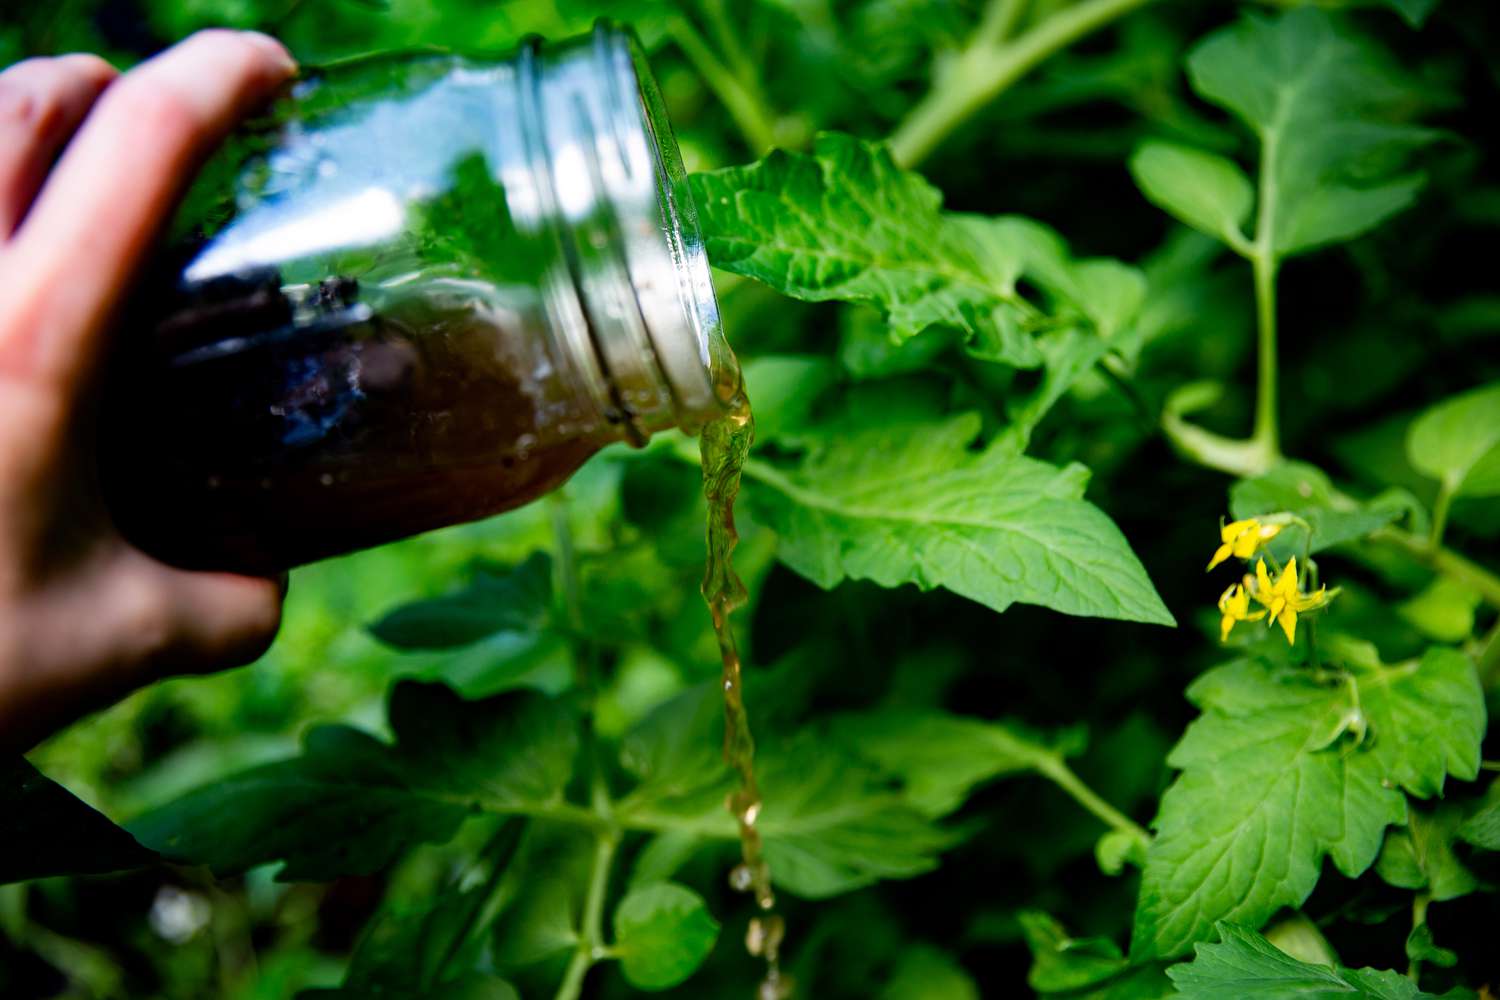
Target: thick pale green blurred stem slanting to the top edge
986	70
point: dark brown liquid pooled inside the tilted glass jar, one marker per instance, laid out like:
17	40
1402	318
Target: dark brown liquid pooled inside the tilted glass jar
247	440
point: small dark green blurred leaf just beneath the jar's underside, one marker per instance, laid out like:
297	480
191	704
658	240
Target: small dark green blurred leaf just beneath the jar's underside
494	602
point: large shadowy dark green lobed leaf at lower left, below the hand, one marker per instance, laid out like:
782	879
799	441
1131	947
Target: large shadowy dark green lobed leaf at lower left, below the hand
353	804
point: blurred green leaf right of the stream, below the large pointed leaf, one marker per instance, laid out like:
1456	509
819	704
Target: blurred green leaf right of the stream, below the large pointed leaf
940	758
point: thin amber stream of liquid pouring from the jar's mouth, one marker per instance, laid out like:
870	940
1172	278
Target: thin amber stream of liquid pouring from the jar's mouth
724	448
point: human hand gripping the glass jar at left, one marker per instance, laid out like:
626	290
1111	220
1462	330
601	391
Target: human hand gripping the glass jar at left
85	617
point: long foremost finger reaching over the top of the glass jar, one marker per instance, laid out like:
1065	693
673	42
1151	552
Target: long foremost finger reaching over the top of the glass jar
70	266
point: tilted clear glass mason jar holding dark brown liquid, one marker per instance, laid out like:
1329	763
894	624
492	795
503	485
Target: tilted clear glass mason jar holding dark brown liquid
421	290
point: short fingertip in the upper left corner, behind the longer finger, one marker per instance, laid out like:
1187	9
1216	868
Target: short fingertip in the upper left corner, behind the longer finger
41	104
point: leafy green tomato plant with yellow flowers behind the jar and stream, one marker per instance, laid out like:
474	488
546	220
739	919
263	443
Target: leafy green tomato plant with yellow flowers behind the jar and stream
1045	307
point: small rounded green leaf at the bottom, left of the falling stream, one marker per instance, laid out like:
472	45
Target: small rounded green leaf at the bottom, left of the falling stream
662	935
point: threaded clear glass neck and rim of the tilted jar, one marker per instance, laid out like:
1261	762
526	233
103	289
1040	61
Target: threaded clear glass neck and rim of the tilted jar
629	295
